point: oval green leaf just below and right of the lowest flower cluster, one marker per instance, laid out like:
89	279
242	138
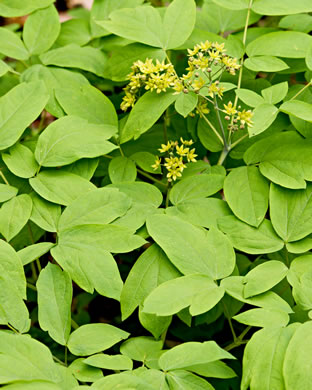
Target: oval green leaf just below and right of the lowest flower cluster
196	187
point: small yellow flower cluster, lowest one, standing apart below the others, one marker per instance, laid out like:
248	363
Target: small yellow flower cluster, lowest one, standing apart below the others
177	156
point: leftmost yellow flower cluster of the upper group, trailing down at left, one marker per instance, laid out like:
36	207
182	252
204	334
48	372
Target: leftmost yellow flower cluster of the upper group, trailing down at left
149	76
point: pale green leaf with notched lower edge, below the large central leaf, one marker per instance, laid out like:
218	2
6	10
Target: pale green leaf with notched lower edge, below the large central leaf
199	292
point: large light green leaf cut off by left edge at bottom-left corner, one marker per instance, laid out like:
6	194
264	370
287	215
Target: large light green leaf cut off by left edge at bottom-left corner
24	358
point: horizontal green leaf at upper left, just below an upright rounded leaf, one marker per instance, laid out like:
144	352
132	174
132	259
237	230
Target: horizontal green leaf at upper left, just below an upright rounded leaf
73	56
